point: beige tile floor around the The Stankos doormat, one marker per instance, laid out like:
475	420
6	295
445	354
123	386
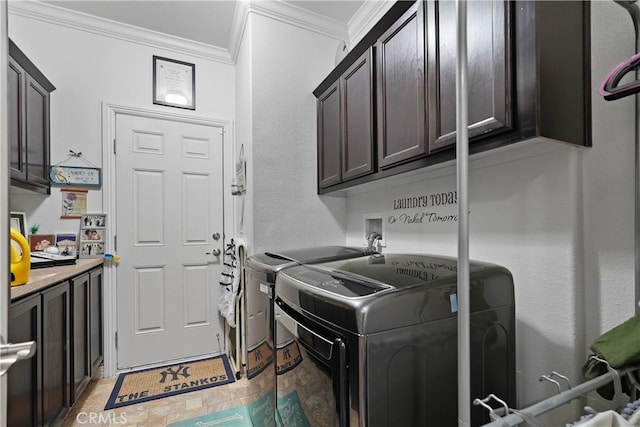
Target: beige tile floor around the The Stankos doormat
89	410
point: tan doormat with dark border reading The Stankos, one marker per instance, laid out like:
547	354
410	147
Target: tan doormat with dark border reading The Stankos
156	383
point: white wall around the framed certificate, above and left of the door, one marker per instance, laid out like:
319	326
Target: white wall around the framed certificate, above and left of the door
87	69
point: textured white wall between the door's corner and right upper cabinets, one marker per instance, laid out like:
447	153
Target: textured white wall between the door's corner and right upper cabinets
288	62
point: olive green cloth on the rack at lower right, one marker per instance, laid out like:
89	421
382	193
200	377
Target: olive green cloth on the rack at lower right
620	347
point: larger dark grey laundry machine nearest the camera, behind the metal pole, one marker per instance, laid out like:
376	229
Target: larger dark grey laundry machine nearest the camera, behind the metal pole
372	341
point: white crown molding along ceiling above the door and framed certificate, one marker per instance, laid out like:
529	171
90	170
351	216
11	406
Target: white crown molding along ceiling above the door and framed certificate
91	24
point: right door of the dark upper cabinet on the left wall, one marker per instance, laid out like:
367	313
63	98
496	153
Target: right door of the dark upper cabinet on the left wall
37	128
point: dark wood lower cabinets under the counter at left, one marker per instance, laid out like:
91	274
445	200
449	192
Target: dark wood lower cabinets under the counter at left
65	320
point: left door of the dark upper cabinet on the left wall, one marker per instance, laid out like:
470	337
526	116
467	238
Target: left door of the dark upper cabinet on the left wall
16	76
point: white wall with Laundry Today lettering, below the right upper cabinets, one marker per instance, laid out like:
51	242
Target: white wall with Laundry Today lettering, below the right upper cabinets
561	222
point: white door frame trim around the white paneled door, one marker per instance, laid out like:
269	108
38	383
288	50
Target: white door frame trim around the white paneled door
109	113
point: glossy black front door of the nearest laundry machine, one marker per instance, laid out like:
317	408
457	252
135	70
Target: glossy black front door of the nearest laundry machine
311	372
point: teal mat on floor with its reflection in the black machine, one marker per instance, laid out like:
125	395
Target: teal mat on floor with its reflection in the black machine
258	413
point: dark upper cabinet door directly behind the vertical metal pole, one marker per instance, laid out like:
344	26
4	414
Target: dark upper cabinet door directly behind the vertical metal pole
488	62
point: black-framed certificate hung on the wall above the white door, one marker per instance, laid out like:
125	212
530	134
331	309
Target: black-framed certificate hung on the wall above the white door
174	83
